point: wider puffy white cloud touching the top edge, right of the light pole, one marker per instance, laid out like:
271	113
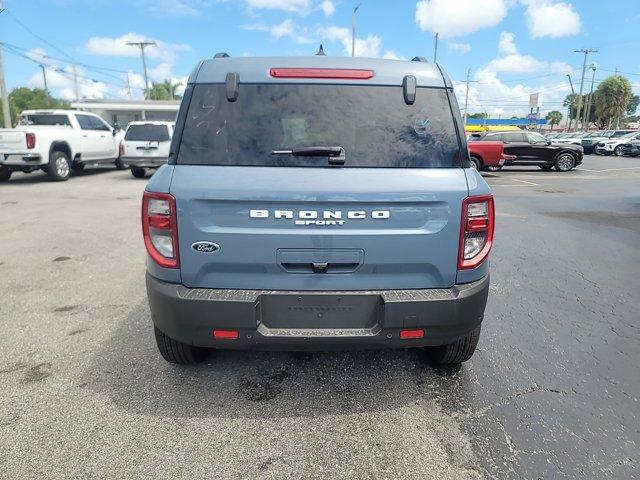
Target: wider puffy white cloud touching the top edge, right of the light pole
455	18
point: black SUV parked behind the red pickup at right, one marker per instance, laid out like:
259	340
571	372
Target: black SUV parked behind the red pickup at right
531	148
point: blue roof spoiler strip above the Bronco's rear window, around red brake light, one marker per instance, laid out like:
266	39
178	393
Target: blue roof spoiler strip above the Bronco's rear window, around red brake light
256	70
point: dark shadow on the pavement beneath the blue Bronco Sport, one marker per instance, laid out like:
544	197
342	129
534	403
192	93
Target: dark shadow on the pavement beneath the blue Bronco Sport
128	369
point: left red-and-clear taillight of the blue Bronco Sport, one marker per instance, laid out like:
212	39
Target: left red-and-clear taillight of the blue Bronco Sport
160	228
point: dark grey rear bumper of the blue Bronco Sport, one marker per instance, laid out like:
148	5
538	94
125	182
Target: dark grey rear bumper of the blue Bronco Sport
190	316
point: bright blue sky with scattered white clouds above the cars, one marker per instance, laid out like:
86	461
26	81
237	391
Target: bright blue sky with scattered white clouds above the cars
511	47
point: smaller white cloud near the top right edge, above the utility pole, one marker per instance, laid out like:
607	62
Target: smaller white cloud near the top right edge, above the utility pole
546	18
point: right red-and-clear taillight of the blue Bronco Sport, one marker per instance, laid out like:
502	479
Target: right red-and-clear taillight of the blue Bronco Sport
476	231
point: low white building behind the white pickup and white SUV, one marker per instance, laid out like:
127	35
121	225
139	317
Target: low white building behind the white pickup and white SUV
121	112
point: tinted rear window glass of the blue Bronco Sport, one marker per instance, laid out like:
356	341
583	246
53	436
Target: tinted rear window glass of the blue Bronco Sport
373	125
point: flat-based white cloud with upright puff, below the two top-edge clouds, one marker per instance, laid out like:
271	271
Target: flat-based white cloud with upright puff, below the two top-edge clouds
511	61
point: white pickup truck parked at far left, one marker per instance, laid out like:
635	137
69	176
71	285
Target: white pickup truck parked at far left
57	141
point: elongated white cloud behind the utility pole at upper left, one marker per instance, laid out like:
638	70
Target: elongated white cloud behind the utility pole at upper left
117	47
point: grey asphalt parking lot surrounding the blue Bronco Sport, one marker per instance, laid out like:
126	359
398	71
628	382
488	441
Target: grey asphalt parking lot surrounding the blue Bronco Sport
552	392
